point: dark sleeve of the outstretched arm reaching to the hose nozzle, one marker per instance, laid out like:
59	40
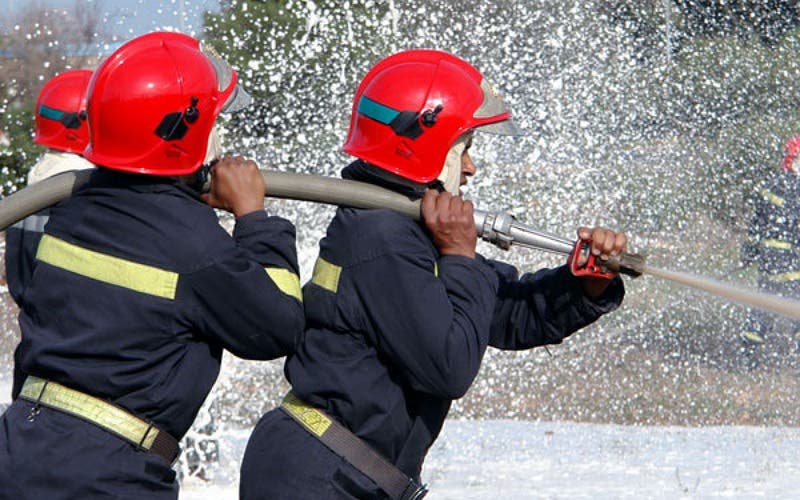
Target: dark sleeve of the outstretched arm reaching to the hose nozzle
545	307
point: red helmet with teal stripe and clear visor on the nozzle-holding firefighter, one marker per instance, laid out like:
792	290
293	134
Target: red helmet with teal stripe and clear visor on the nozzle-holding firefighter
412	106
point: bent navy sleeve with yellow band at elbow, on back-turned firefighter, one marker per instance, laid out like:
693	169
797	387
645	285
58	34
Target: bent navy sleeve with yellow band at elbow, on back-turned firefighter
249	298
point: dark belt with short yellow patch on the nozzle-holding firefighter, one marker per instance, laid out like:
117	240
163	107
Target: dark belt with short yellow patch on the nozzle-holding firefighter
350	447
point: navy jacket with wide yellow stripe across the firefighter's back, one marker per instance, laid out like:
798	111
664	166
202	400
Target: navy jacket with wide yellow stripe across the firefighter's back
137	290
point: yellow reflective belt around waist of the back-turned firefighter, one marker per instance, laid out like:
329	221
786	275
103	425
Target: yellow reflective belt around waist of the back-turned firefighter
144	435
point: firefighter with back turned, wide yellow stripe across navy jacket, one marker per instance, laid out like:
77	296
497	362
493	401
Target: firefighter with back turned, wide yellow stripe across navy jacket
138	289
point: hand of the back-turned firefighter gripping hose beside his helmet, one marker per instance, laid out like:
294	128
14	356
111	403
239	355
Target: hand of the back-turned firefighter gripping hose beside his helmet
236	186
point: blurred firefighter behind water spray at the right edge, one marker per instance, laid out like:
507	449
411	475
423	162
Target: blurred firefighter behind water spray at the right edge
773	243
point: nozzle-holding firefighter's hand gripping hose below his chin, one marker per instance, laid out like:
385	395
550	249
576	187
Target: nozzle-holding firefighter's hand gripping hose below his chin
451	223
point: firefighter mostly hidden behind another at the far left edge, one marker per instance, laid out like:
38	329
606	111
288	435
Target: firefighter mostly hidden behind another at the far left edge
60	126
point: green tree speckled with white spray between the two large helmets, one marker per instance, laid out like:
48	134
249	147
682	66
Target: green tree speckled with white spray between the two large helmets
301	62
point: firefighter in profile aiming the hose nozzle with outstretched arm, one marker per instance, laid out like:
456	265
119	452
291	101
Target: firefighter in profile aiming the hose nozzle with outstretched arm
399	313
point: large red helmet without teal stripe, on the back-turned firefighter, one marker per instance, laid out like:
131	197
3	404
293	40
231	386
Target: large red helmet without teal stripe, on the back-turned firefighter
153	102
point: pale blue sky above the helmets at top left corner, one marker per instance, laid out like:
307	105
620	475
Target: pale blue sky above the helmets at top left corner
128	18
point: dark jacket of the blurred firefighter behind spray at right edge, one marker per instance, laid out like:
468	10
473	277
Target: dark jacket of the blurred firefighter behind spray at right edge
773	239
